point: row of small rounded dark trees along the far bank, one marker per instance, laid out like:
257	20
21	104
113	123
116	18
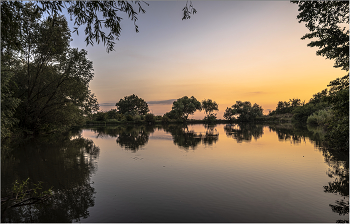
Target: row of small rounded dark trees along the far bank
135	109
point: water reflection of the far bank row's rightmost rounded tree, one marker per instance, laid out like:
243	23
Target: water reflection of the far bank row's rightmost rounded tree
244	132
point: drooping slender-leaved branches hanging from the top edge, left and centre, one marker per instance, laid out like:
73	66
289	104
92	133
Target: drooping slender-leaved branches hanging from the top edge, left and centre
83	13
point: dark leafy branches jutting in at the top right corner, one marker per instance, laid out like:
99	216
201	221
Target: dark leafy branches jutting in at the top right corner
328	22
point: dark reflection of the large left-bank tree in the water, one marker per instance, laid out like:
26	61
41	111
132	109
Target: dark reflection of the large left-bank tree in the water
66	162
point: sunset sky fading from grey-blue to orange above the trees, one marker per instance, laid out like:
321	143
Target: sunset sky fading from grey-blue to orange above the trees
229	51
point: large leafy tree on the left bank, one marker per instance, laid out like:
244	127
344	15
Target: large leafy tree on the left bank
50	80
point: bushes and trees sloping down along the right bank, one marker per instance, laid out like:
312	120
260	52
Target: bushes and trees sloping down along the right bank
328	109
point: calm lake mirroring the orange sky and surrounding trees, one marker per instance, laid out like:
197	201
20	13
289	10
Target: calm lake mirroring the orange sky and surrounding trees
176	173
